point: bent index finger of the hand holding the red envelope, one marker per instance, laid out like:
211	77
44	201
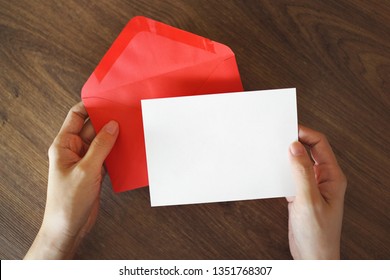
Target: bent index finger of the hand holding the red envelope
74	121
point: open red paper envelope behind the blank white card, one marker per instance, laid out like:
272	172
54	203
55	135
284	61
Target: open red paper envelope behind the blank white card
150	59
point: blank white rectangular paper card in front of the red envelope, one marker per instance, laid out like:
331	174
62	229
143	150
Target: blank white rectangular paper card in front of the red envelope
220	147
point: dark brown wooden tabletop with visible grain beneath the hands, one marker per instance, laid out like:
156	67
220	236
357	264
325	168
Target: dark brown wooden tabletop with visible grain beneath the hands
336	53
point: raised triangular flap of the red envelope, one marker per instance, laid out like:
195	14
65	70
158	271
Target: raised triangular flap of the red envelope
147	48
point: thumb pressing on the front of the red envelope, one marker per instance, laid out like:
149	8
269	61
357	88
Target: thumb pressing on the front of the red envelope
102	144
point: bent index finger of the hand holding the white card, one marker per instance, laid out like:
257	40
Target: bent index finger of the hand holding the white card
319	146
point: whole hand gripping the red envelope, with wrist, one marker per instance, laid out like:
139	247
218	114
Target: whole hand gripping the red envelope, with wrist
75	174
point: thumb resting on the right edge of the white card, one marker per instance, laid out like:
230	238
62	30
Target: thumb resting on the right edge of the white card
303	173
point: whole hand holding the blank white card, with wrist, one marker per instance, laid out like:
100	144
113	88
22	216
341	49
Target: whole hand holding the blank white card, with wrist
316	212
